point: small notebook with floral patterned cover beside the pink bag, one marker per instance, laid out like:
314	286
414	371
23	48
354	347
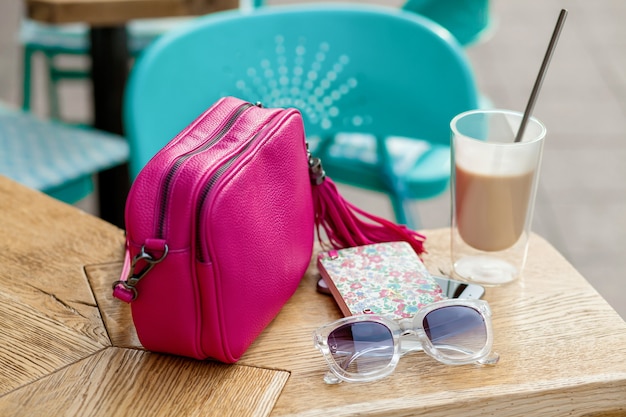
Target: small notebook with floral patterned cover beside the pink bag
387	279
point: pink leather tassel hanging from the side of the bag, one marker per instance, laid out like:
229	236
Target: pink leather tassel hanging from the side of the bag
346	225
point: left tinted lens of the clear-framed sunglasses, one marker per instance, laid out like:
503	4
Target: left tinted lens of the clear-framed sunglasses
361	347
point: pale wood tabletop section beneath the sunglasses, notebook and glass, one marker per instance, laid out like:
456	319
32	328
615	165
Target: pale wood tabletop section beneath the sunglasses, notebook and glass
551	328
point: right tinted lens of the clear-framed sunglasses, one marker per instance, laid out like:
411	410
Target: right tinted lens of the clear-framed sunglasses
456	331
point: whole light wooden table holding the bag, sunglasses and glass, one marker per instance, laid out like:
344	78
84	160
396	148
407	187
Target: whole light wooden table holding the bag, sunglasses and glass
68	348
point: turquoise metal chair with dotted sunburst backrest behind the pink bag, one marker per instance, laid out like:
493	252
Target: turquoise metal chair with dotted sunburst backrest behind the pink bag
377	88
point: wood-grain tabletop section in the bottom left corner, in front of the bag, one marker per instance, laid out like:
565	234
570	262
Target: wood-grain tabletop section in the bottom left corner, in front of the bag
116	382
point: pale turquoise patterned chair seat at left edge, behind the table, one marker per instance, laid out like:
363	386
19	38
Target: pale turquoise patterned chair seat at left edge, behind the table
54	158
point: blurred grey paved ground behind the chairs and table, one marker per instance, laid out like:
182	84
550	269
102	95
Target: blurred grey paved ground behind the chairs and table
581	206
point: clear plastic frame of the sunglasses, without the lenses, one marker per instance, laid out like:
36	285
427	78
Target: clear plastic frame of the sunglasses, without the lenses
408	335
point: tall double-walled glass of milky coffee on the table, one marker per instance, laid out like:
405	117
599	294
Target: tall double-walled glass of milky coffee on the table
494	183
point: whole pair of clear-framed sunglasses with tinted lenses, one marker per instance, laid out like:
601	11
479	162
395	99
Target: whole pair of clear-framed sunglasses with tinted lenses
367	347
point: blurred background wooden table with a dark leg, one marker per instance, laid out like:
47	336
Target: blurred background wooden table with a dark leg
109	65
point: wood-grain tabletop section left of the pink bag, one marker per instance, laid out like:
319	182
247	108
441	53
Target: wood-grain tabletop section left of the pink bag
48	314
